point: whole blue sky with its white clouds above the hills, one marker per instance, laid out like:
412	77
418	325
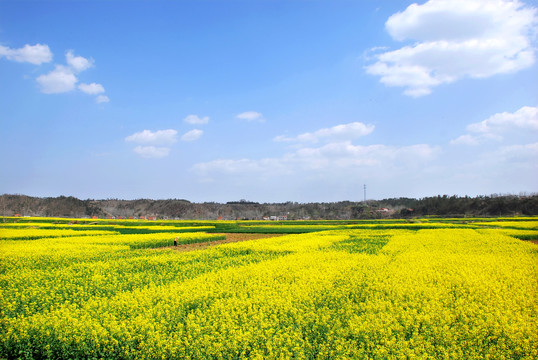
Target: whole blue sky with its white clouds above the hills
268	101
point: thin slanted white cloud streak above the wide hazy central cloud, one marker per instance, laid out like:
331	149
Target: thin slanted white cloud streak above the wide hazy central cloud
341	132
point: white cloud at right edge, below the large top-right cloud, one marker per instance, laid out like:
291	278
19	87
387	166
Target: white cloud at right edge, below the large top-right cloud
498	126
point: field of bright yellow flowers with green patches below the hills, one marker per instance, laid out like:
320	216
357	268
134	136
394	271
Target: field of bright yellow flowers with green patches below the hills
435	289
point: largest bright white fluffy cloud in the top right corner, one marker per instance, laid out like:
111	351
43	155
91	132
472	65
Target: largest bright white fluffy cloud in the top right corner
456	39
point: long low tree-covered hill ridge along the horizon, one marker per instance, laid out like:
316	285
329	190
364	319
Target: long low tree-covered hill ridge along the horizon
62	206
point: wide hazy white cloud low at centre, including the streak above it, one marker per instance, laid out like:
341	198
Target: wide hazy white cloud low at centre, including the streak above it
337	156
